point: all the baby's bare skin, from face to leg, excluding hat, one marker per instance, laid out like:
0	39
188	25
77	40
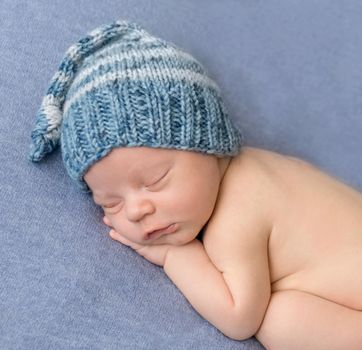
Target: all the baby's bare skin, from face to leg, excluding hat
300	287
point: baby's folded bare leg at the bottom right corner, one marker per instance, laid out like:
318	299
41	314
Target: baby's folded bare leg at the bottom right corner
302	321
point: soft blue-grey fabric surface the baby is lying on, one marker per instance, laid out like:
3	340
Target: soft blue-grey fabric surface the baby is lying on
291	72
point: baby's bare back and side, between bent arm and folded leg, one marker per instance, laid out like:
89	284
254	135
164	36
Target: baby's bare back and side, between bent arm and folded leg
316	241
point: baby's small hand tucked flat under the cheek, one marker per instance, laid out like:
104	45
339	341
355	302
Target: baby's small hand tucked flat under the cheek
156	254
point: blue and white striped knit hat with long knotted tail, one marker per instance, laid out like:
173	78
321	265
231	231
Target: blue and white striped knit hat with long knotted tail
119	86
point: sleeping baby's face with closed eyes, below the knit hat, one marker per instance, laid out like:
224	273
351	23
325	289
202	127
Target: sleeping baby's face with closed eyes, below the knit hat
143	189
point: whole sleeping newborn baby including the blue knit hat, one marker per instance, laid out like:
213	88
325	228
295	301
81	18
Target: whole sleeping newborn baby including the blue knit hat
143	128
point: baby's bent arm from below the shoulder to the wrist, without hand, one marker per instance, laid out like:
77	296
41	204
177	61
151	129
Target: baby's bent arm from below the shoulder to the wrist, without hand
227	278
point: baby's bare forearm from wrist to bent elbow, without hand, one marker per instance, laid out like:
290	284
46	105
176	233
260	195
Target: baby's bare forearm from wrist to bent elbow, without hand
192	271
